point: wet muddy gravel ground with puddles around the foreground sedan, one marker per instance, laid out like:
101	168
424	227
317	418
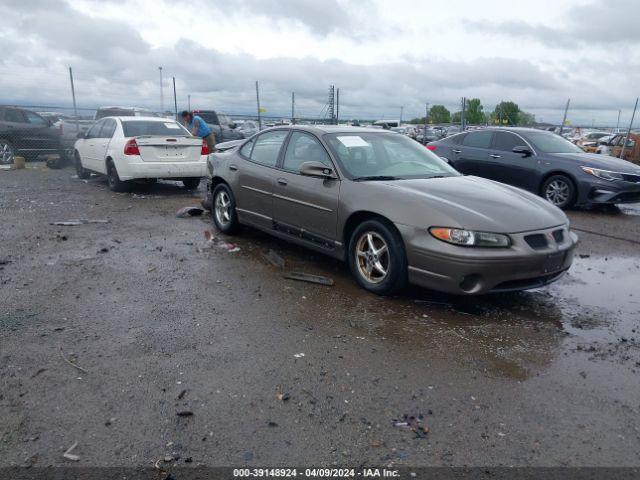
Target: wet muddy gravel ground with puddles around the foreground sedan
109	330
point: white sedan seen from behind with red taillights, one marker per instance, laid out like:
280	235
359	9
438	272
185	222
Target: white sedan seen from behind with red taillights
139	148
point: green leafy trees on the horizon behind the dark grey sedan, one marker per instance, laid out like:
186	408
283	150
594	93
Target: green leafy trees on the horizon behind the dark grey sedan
505	113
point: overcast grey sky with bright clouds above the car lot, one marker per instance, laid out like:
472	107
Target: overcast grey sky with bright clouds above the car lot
382	54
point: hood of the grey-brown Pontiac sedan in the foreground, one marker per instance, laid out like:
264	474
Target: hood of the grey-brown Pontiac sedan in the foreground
471	202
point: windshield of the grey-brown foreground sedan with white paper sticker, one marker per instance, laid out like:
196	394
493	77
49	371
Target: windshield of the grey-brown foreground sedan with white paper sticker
378	155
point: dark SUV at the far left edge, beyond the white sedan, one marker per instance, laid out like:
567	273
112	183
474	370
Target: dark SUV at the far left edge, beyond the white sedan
25	133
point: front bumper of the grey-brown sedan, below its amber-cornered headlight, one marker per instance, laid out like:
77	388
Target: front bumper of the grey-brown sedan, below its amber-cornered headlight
460	270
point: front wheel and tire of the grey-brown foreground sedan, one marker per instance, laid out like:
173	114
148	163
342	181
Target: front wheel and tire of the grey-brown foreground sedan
380	272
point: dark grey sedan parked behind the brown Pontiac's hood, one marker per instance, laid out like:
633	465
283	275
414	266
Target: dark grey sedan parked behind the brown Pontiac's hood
543	163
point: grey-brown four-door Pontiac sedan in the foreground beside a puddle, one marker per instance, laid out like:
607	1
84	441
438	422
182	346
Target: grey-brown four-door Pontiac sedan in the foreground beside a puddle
393	210
